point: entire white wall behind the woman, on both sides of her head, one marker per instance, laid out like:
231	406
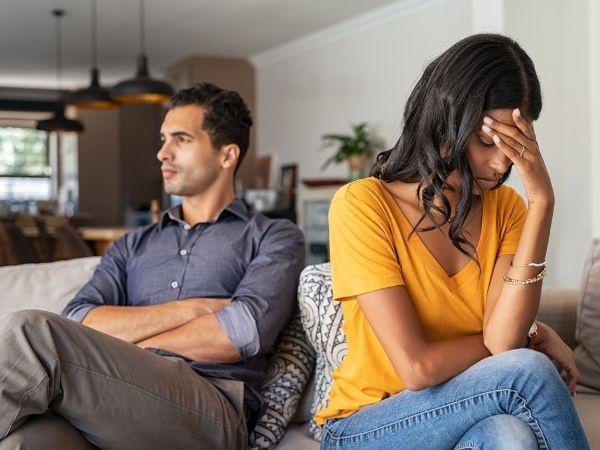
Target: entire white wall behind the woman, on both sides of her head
367	75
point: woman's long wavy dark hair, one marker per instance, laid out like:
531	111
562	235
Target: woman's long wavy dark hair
477	74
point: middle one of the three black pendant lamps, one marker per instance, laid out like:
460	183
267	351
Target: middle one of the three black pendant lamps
94	96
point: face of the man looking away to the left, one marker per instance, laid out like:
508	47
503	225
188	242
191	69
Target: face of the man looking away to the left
189	163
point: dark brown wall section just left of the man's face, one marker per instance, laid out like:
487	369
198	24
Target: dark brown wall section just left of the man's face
117	161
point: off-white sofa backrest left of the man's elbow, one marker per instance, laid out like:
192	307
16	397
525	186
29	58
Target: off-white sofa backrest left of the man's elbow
47	286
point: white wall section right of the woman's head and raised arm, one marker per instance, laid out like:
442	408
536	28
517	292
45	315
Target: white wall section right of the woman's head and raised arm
555	34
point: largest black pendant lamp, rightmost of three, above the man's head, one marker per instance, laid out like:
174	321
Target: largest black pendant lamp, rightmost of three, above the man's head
142	88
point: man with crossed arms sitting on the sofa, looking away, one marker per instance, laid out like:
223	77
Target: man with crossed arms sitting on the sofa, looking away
179	317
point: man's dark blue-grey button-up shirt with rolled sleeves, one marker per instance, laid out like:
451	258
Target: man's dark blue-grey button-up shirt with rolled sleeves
254	260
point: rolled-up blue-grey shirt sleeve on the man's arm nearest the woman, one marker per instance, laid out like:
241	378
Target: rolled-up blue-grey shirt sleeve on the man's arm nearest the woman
266	297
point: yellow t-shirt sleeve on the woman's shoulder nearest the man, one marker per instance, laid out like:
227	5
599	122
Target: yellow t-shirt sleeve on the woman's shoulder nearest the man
362	250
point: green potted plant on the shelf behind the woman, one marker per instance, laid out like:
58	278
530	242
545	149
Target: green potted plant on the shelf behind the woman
356	148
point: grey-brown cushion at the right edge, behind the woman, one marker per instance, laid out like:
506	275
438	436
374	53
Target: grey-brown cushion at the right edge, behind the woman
587	353
